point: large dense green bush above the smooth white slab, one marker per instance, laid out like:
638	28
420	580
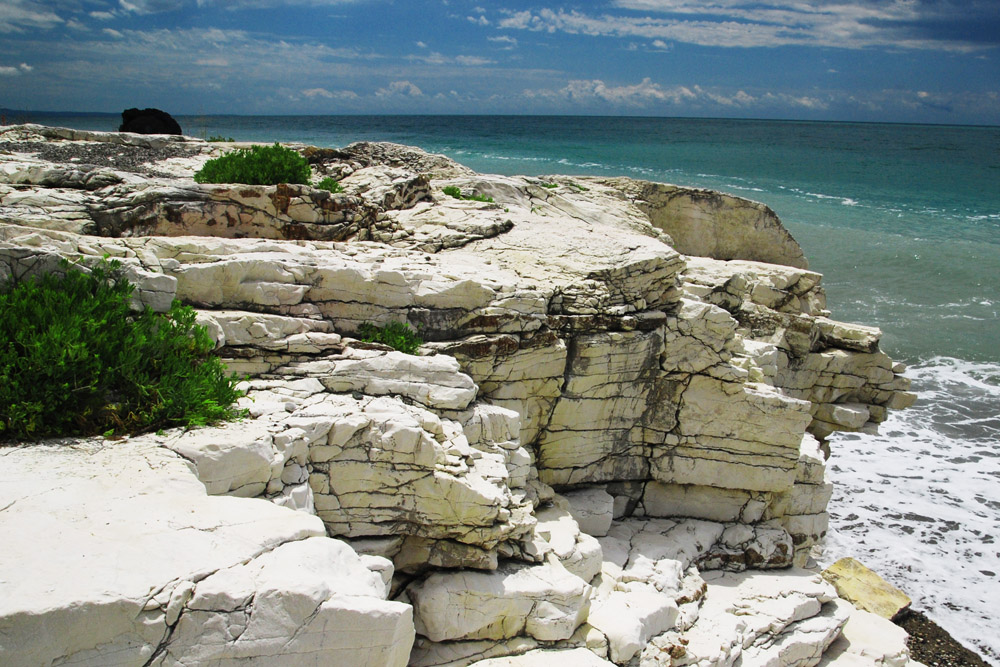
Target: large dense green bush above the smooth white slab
77	360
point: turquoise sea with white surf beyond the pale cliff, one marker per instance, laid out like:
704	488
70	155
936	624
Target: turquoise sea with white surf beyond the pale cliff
902	220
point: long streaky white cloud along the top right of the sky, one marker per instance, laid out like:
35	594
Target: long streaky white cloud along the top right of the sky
906	24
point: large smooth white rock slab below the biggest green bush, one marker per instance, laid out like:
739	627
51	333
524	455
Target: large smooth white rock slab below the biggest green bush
171	545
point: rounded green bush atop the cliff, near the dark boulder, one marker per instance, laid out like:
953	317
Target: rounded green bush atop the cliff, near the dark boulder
257	165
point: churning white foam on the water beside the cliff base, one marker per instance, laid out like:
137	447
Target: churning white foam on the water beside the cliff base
920	503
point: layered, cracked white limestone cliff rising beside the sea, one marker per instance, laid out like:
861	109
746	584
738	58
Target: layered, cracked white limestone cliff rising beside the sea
596	422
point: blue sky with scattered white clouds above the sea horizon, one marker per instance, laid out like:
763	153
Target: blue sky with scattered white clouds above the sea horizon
932	61
